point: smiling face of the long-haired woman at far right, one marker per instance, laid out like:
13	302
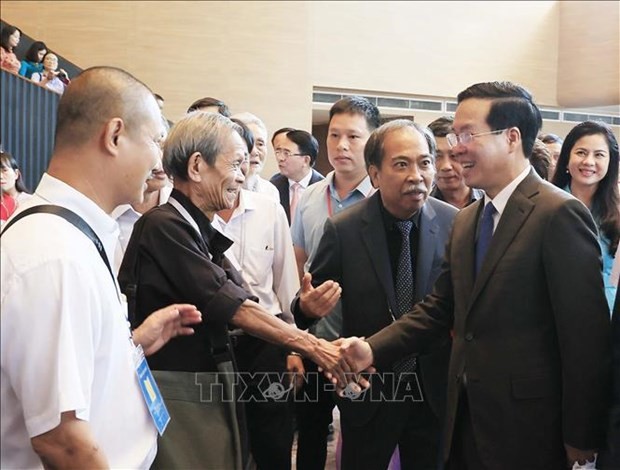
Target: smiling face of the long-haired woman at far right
589	161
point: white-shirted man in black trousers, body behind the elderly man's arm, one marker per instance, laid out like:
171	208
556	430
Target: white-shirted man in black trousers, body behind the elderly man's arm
263	253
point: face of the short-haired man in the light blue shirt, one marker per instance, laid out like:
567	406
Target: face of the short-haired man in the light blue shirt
346	137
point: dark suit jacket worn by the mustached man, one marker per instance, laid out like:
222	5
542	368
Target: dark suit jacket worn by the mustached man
354	252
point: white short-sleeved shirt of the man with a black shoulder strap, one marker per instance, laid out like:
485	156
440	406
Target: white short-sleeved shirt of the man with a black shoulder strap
65	342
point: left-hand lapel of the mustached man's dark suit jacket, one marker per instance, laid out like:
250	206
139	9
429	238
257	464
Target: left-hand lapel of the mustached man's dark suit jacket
373	235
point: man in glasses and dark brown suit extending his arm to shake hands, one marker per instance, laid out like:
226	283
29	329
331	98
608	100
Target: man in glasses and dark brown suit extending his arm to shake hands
528	380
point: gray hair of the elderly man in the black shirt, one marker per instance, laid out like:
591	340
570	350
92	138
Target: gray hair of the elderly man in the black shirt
197	132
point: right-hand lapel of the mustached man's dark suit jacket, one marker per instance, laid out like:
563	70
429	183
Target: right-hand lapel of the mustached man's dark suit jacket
425	251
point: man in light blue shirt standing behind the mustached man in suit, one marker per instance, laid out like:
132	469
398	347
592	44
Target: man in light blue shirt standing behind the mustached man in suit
351	121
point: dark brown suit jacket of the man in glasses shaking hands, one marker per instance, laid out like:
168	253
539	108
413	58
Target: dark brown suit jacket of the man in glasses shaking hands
532	330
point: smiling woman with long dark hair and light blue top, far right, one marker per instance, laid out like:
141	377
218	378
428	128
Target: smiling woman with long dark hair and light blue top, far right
588	169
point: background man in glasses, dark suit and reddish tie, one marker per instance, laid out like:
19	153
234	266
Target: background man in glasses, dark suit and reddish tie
296	152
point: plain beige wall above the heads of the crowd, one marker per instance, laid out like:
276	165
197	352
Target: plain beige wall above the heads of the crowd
265	56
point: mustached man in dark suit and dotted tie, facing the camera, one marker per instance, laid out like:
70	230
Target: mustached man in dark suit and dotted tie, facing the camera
361	249
